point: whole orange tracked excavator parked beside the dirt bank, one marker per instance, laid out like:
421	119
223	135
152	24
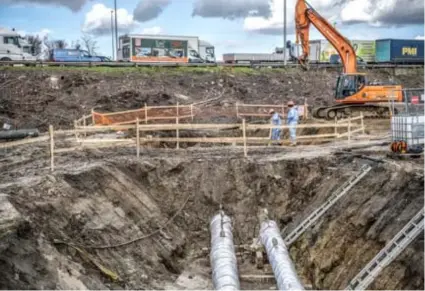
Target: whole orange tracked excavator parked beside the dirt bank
353	93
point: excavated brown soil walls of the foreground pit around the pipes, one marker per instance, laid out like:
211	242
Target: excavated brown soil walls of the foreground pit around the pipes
101	198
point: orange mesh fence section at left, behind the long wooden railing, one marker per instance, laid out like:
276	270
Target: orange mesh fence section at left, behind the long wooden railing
145	114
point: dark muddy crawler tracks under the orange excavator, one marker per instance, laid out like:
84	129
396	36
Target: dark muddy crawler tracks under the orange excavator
343	111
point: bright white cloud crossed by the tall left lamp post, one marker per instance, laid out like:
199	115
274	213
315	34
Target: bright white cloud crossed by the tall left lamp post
98	20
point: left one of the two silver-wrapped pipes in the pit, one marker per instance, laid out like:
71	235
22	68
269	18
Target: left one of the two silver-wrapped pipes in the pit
223	258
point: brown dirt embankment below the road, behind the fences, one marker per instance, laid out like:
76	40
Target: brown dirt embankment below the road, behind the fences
28	99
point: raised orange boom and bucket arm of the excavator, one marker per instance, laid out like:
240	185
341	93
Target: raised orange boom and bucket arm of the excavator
306	15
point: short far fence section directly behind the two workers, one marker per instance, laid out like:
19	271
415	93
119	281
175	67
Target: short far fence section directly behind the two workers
263	110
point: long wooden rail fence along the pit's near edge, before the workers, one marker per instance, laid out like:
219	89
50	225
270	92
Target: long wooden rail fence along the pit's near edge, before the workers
349	126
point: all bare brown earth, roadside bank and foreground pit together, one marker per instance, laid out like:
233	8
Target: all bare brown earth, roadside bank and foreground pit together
105	220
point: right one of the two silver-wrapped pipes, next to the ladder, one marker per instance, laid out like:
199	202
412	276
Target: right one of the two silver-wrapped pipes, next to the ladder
283	269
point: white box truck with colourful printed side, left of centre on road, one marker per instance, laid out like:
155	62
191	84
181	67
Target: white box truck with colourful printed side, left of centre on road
145	48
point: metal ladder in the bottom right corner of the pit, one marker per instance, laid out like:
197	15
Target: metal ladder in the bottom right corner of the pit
402	239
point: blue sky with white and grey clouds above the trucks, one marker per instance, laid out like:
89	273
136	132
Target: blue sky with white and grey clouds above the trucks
231	25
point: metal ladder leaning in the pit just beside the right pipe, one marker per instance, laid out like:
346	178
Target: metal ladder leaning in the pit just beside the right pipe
313	217
